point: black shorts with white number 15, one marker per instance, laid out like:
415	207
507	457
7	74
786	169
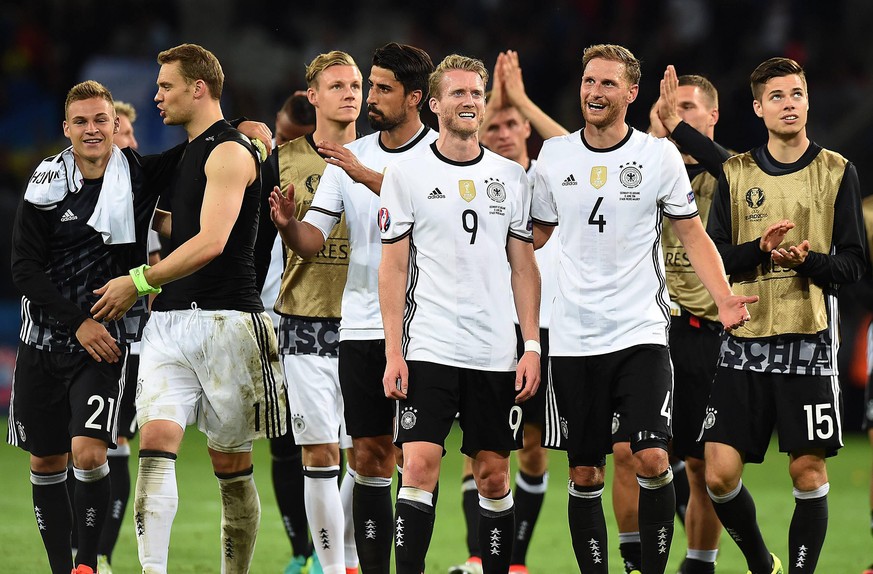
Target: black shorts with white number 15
746	406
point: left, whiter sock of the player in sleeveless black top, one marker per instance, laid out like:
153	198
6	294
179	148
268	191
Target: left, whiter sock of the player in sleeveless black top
155	503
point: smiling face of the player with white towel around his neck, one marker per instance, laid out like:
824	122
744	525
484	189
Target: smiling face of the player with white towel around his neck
90	126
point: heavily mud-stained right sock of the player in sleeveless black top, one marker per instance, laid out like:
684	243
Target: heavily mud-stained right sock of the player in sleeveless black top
240	518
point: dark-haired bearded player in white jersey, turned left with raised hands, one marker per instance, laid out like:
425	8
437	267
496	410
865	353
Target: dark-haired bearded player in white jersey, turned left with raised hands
350	184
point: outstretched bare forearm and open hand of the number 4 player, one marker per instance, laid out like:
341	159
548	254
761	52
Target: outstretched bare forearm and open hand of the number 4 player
707	264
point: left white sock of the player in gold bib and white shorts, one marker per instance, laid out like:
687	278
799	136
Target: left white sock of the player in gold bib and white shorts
324	511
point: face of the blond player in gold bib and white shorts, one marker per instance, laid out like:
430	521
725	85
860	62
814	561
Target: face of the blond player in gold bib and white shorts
337	93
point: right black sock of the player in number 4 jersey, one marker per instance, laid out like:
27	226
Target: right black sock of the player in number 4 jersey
657	506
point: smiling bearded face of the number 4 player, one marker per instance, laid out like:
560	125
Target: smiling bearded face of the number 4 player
605	93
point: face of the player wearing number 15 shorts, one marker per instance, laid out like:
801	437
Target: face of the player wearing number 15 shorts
784	106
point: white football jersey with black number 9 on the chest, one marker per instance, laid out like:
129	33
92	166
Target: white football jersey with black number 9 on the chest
458	217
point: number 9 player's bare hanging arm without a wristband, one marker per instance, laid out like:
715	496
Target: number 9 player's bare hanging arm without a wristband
393	271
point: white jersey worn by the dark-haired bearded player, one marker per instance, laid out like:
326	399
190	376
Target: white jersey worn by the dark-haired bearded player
336	193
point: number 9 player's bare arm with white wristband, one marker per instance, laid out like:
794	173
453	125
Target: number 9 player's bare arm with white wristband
526	286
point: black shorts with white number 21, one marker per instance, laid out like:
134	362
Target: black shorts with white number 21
57	396
